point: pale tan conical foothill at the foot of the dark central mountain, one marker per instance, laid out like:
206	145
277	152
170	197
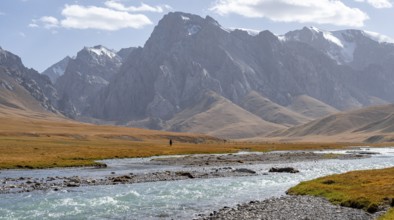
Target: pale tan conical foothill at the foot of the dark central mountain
217	116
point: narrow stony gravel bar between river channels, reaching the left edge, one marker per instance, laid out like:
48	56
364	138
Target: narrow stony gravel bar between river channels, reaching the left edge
29	184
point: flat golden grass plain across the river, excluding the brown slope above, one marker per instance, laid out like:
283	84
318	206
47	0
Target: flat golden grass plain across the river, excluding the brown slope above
43	150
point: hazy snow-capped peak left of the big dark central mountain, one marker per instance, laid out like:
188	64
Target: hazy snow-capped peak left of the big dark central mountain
85	75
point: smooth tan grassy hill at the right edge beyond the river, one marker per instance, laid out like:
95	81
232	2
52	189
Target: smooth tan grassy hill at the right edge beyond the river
372	124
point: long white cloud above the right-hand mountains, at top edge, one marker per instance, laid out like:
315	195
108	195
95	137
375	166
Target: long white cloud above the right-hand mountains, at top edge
307	11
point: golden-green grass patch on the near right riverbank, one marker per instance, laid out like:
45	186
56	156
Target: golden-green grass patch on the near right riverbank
366	190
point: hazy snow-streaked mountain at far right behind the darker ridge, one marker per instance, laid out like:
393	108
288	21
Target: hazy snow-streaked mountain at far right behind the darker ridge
371	59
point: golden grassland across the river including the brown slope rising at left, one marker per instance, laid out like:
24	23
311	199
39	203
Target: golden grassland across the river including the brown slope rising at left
38	140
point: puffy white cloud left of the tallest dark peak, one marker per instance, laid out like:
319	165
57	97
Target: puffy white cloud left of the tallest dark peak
93	17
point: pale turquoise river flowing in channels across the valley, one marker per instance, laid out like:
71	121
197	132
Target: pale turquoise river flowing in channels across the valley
166	200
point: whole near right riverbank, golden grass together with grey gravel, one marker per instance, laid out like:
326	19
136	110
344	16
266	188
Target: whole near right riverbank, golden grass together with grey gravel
360	195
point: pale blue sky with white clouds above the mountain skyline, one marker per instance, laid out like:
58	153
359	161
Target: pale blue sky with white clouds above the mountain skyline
42	32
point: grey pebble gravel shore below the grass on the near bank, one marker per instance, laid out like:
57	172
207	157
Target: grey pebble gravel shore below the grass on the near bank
289	207
